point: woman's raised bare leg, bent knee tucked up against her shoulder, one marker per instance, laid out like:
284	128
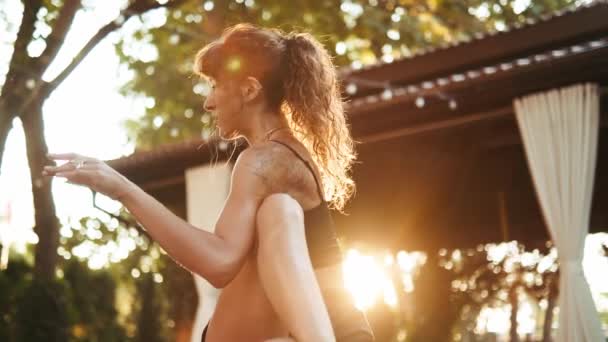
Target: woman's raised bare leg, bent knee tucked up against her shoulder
286	271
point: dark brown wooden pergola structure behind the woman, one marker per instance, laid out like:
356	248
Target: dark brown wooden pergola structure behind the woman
441	162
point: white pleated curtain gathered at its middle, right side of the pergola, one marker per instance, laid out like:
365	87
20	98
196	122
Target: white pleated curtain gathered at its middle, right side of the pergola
560	133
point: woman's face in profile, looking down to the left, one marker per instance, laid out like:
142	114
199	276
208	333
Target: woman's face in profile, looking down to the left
224	103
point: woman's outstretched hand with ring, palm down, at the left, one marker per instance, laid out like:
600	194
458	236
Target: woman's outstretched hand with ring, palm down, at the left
90	172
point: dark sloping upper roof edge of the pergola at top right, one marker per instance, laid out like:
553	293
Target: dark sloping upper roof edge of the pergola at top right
552	31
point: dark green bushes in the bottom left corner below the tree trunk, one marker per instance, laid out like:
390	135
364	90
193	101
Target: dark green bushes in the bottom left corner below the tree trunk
76	306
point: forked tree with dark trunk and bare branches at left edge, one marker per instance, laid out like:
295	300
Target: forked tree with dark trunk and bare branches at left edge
24	92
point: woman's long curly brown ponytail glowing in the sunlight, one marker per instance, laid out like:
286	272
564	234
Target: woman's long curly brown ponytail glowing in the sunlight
314	107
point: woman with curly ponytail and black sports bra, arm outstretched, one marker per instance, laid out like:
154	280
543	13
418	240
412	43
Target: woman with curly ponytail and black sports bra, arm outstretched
280	93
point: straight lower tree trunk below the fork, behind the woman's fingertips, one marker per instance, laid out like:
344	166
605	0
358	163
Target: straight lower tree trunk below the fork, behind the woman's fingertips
46	223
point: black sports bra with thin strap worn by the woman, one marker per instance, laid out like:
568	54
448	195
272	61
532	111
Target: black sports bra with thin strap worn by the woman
319	227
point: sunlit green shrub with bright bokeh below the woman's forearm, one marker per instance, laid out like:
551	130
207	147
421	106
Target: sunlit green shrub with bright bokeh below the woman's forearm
156	294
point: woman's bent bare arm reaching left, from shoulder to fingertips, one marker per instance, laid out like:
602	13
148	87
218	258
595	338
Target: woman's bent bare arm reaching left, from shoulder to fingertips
217	256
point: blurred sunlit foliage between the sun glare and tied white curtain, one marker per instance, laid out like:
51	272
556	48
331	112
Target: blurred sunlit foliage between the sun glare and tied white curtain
494	274
